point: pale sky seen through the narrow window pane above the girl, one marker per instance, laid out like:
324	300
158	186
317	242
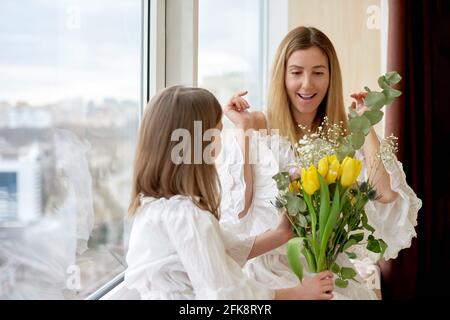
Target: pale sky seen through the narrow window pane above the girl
229	34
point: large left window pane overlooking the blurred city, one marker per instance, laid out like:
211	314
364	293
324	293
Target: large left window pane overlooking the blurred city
71	95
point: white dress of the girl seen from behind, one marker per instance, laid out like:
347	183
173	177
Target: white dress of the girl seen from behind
178	251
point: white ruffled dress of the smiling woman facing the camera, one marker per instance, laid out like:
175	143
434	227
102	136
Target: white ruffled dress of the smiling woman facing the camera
393	222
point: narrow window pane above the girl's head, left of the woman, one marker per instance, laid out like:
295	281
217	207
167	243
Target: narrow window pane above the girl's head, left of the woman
231	54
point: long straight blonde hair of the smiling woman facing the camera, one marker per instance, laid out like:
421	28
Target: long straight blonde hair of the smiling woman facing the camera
279	106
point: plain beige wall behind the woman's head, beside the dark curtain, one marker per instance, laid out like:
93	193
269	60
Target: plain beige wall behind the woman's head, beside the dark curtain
355	28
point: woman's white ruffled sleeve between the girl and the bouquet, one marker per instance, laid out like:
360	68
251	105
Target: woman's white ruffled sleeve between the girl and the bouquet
266	153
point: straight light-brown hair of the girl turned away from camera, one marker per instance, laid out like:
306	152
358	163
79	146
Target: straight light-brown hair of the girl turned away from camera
155	173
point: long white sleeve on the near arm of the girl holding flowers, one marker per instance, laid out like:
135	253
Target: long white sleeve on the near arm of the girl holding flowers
196	236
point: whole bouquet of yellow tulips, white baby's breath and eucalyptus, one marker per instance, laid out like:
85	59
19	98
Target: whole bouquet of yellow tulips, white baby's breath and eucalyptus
323	199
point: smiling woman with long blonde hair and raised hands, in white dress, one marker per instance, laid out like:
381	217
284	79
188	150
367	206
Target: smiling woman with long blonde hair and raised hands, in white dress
305	86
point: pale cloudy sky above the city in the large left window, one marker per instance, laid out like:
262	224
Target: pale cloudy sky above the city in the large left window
55	49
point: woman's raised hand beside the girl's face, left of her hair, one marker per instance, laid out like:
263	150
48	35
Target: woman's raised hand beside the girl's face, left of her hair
236	111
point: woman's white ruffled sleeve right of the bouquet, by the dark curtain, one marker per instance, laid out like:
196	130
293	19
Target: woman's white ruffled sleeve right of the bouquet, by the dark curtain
394	222
